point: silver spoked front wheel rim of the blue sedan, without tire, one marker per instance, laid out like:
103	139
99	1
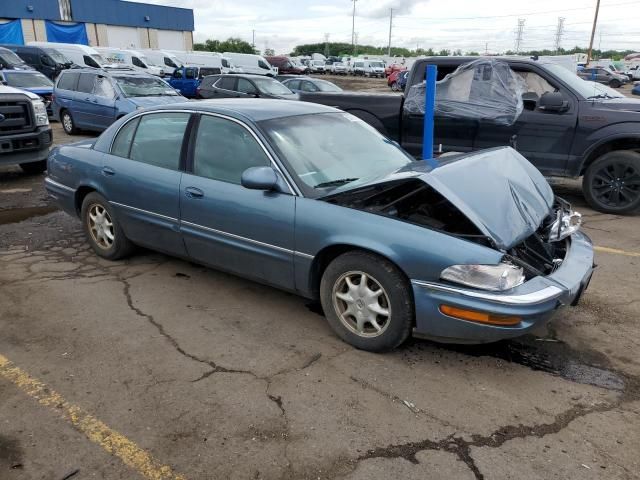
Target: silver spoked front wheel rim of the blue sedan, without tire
362	304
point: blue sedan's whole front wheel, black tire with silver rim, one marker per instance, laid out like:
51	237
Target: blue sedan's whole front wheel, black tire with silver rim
392	310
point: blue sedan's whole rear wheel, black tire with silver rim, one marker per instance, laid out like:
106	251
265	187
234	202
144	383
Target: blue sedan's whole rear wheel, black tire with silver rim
119	246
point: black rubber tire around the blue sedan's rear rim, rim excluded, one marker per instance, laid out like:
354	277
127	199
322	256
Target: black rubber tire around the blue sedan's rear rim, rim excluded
121	246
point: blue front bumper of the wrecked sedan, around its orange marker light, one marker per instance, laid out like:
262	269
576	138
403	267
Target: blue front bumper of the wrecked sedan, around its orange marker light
534	301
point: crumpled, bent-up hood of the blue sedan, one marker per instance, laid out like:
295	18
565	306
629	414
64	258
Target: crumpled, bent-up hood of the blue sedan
498	190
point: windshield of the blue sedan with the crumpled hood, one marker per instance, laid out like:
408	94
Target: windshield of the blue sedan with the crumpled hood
329	150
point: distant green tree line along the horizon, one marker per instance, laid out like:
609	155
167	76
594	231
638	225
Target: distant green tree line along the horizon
341	49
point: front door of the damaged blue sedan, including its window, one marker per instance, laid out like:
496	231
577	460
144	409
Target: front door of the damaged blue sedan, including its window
242	231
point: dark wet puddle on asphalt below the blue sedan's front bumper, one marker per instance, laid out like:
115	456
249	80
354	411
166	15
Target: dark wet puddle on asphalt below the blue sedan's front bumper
554	357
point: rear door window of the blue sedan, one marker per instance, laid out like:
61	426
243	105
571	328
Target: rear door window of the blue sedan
158	139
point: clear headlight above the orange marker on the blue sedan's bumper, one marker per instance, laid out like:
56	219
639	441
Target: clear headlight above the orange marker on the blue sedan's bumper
486	277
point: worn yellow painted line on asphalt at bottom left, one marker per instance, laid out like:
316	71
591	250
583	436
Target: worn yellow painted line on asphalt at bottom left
95	430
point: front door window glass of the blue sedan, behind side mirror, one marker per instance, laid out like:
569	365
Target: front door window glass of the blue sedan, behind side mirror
225	149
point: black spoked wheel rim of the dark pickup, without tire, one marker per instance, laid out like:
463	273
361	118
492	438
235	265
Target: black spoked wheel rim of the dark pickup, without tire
616	184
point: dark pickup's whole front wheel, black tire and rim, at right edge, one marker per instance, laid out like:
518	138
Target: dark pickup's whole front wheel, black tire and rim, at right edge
611	184
